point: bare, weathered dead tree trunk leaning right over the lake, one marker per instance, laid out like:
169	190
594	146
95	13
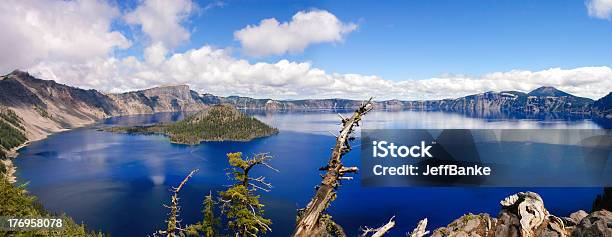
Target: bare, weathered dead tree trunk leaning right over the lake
308	222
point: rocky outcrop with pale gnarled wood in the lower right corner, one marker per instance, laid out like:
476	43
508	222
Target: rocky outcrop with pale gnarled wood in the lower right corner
523	214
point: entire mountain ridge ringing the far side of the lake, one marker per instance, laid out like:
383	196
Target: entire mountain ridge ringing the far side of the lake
47	106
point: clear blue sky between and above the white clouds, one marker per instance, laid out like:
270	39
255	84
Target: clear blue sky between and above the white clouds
401	40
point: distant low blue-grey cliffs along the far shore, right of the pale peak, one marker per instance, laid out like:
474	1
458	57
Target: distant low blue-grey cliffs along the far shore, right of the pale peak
541	100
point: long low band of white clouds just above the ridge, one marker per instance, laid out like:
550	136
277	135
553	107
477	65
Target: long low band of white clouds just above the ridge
210	70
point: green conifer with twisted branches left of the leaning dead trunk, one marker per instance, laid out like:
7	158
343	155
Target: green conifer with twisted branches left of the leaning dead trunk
240	204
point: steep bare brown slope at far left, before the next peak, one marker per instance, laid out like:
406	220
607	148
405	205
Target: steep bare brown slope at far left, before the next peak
47	107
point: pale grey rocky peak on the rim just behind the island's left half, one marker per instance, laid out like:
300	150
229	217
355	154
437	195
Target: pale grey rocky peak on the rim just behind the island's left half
160	99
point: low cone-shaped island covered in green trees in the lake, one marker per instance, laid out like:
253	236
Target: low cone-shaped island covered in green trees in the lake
217	123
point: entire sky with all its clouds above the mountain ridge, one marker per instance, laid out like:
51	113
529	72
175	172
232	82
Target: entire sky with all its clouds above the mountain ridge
408	50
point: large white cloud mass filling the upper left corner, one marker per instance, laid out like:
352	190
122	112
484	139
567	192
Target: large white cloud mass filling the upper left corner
75	31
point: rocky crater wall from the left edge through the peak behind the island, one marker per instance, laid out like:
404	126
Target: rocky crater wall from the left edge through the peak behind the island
47	107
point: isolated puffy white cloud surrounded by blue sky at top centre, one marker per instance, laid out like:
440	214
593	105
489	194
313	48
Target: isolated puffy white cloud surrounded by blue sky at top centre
271	37
